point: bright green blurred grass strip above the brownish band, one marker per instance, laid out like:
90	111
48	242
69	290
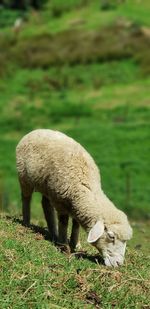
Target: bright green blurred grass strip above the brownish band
59	16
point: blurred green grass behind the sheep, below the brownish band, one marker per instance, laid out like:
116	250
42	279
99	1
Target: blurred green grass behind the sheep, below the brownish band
120	108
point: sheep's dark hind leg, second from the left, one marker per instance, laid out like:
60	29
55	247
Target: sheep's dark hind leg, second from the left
50	217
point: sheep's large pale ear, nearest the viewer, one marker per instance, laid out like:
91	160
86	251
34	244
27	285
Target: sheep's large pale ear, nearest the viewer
96	232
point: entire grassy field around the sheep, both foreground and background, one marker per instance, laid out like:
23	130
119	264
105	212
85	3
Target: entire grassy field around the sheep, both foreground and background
83	69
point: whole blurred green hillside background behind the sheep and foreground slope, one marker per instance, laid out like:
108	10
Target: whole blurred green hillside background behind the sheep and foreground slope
82	67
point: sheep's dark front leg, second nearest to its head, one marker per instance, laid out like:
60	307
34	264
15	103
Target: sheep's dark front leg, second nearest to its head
62	228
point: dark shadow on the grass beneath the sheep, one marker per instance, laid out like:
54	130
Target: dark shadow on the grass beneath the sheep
97	259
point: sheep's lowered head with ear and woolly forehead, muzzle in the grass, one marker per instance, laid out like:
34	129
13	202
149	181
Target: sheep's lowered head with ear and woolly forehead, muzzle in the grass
110	241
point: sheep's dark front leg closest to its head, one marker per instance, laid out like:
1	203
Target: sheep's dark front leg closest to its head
74	240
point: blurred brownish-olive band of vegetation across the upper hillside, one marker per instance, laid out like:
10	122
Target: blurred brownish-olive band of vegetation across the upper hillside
74	47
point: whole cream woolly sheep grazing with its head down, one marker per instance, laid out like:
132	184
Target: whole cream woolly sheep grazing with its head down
66	175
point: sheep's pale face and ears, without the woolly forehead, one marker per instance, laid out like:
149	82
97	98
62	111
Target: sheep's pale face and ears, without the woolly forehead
106	241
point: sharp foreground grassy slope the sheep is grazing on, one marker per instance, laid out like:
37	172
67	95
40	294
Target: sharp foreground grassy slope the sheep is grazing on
35	275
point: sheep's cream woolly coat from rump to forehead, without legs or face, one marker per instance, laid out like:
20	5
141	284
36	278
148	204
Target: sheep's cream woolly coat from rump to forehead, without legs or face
62	170
